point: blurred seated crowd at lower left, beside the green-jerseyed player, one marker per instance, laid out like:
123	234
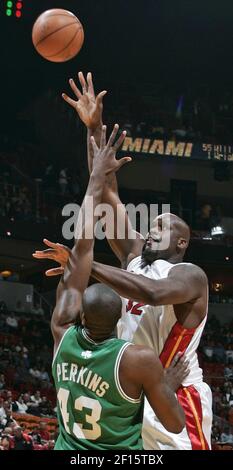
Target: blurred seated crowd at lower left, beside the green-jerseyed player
26	388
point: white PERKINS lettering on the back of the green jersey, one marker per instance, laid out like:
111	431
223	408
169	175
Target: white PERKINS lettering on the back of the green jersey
72	373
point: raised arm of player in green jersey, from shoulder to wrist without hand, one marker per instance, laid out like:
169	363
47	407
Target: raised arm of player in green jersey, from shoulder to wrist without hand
78	268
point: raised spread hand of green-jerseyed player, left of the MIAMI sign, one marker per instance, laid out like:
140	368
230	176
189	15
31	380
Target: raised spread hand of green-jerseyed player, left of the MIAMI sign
105	154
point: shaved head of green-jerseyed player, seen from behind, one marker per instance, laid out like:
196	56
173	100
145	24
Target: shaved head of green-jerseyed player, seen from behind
101	310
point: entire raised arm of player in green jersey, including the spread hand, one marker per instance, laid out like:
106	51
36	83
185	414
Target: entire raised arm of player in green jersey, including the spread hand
77	271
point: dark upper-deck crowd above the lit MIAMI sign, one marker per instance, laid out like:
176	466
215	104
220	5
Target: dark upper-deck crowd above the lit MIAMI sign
193	115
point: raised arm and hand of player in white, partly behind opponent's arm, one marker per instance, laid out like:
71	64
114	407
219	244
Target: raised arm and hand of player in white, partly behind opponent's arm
90	109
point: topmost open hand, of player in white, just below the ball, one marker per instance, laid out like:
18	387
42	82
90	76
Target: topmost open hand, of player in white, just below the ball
88	106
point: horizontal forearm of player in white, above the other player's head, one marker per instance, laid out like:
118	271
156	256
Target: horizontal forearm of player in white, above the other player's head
129	285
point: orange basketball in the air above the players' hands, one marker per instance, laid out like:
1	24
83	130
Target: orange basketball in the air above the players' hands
57	35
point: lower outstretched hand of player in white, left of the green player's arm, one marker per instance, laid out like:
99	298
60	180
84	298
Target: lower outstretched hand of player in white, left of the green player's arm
57	252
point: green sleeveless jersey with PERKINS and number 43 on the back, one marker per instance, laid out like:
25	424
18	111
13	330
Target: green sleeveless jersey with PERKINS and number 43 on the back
93	410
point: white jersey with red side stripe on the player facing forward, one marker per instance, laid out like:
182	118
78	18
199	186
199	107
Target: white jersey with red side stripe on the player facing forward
157	327
